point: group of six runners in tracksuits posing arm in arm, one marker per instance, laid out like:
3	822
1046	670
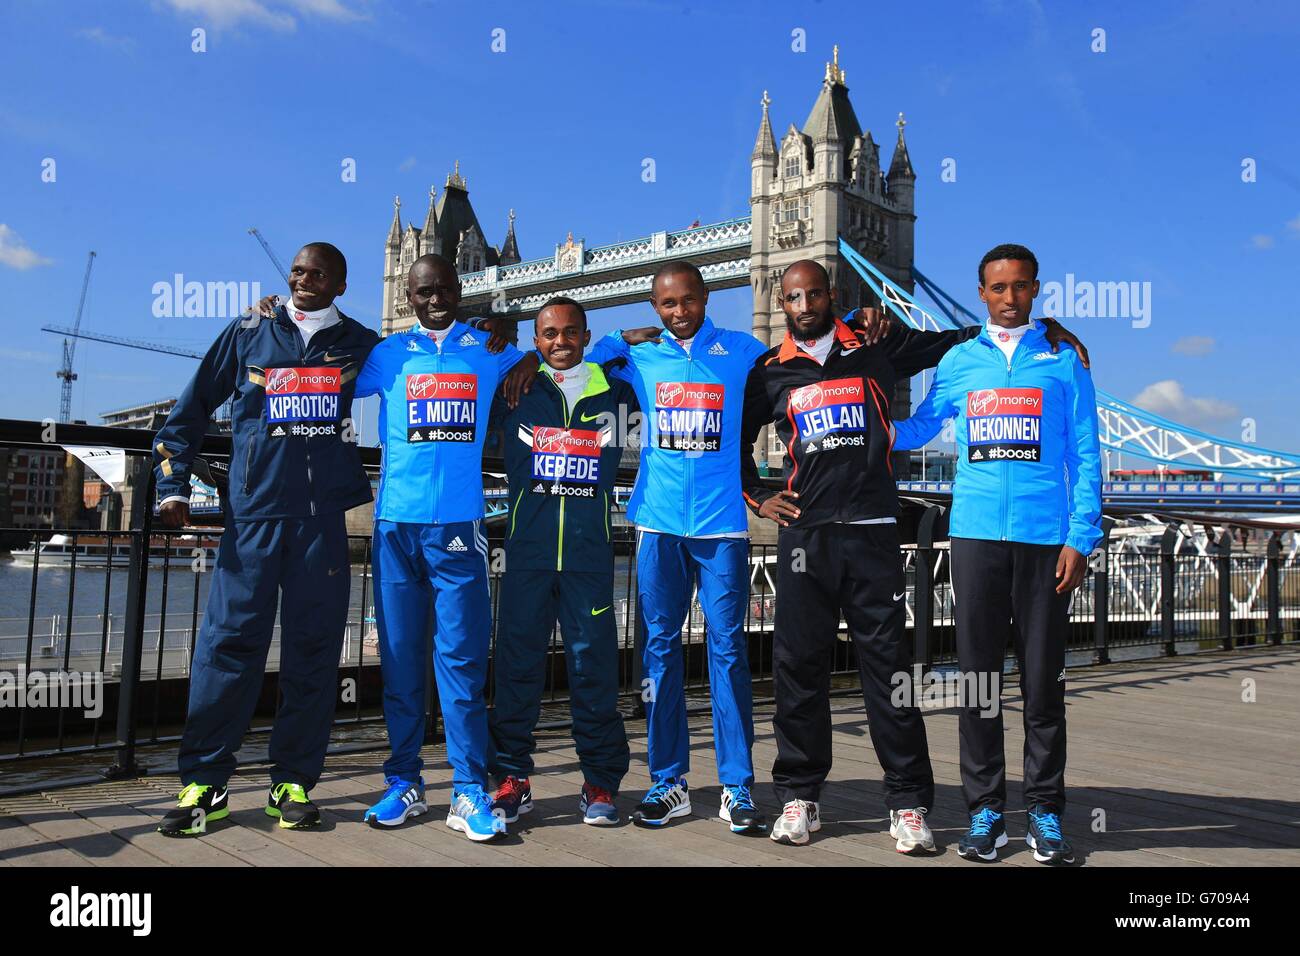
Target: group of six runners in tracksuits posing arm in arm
1025	517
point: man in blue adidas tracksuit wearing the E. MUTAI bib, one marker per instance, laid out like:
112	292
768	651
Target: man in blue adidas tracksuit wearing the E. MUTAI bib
436	386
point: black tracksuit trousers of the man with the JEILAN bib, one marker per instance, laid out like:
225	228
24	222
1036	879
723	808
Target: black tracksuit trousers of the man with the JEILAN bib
822	572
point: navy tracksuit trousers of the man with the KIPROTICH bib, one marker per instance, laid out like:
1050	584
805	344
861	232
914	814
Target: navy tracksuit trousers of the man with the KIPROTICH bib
304	563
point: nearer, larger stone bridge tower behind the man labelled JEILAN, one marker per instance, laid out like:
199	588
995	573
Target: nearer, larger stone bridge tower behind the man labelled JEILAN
818	184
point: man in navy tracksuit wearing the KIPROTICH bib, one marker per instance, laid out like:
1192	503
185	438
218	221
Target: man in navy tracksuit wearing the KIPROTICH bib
294	473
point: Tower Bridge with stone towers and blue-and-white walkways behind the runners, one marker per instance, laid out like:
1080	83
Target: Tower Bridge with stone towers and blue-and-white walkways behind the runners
821	193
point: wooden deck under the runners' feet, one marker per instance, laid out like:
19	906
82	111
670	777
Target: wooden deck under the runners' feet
1168	767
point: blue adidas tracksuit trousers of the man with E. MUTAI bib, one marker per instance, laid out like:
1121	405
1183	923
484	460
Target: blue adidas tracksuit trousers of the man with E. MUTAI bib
434	577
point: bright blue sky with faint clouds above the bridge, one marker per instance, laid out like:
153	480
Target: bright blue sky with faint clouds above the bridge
1124	166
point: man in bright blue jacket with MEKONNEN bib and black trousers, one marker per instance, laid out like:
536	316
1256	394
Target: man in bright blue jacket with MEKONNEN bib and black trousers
1026	516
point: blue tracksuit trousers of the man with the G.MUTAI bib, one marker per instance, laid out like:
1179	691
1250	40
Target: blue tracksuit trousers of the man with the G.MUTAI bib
668	569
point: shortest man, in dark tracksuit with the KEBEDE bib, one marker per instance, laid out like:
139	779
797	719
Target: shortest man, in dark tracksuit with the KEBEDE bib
562	448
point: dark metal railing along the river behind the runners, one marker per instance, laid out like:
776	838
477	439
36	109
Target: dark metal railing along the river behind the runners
132	622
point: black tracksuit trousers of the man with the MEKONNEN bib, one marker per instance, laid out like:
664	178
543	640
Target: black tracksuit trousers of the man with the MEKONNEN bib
1008	590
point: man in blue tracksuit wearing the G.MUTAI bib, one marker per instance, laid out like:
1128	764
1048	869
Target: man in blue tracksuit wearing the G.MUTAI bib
692	526
